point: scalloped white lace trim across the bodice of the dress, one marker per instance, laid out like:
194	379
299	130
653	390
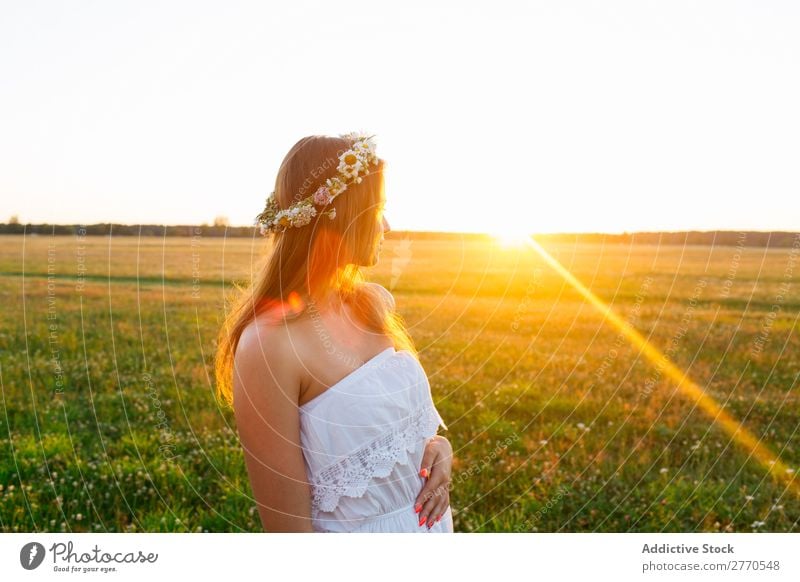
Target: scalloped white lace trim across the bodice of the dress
351	476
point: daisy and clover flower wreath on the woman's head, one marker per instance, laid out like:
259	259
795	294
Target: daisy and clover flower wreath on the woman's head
353	165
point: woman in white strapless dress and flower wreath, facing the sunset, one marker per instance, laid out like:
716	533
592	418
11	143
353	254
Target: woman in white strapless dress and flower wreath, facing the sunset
332	407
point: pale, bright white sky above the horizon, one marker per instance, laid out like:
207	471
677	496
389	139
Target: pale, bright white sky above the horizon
499	117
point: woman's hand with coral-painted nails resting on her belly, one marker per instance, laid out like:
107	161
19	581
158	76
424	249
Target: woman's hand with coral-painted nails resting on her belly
437	464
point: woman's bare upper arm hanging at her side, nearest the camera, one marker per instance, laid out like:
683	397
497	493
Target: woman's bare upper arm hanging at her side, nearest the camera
266	388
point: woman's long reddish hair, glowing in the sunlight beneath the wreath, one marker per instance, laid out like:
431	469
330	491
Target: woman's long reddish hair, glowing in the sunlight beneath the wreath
308	263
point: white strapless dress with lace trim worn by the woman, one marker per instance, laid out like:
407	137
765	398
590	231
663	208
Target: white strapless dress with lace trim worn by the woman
363	440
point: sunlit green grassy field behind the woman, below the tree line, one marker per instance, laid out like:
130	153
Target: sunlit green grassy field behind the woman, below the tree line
108	420
